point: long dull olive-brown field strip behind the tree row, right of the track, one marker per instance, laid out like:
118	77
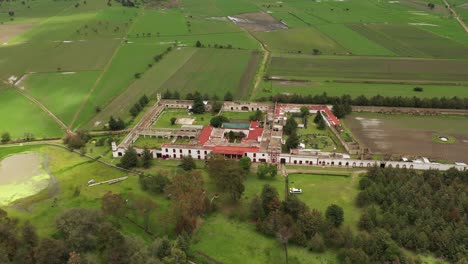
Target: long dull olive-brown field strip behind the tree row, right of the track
360	69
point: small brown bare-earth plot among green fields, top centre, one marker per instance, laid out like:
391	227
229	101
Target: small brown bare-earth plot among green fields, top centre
258	22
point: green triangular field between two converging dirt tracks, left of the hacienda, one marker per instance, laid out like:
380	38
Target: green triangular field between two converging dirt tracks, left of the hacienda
62	93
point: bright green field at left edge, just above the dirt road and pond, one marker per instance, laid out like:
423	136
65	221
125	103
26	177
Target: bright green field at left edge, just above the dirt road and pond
18	115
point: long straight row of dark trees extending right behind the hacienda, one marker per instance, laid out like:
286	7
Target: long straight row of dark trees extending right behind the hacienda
378	100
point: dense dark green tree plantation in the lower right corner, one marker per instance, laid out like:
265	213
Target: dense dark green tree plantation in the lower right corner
421	211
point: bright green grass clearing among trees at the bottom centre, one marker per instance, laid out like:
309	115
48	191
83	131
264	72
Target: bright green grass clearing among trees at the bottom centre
230	241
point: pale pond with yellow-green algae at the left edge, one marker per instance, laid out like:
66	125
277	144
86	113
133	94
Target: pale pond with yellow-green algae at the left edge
21	175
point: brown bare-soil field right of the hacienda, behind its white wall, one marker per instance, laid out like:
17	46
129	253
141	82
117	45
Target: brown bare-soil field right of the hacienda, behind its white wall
411	135
